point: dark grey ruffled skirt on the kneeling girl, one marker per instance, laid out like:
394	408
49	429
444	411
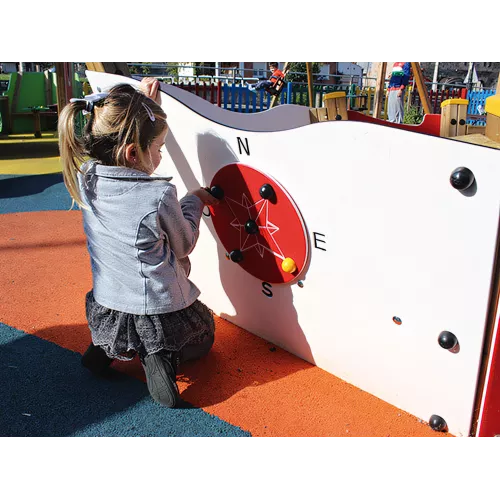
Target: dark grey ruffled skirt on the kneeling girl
122	335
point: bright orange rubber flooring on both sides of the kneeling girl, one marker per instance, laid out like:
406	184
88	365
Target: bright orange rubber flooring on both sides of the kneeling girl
245	380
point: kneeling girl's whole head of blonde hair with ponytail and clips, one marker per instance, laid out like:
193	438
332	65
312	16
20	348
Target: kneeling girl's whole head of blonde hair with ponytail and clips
120	119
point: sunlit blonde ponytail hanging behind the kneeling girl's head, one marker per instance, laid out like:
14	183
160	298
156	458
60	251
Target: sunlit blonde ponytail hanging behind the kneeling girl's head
71	149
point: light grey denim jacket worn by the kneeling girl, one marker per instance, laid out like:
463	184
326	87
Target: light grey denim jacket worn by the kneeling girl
139	236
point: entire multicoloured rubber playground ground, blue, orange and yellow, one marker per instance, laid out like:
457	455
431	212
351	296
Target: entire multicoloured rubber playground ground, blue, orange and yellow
245	388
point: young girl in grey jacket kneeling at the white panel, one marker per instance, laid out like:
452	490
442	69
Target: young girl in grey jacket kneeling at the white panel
139	236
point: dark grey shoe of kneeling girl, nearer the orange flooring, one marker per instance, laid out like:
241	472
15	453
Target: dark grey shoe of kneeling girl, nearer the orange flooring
161	370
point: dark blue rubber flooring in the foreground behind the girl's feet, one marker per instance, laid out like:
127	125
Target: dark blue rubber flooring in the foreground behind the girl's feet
47	394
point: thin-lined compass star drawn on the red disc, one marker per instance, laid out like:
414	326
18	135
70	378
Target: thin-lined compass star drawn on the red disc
264	240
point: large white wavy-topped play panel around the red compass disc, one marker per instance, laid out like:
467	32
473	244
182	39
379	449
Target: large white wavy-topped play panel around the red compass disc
398	239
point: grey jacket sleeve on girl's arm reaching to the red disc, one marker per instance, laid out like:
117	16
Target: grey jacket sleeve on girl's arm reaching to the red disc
179	221
